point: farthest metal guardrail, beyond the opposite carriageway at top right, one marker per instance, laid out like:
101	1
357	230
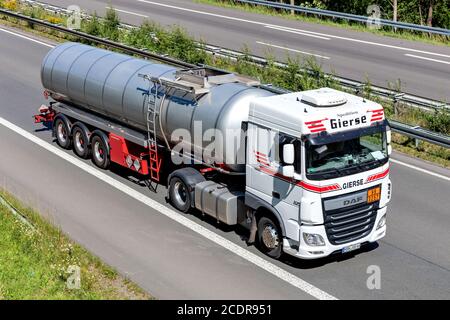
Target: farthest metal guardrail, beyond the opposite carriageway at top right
349	16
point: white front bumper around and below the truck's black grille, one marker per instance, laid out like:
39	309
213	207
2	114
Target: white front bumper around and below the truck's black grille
305	251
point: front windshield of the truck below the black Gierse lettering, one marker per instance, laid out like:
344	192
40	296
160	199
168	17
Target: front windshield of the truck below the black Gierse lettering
347	156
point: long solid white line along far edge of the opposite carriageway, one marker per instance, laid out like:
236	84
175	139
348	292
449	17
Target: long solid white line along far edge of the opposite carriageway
288	28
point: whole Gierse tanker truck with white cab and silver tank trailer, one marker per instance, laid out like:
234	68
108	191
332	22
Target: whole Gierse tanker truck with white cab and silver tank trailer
307	173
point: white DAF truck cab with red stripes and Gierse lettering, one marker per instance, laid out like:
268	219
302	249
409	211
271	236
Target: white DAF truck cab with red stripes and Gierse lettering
319	161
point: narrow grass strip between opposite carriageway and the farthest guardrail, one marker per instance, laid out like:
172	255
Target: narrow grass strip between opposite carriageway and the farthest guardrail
402	34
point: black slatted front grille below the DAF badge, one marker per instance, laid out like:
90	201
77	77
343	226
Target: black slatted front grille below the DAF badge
352	223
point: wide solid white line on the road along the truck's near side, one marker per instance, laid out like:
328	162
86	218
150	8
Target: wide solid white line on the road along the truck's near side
171	214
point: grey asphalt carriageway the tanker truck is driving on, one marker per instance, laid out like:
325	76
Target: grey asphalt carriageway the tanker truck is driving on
172	262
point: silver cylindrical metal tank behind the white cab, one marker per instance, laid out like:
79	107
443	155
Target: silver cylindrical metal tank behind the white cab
119	86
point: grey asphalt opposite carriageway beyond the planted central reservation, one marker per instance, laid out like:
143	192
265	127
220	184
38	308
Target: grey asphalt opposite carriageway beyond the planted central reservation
423	68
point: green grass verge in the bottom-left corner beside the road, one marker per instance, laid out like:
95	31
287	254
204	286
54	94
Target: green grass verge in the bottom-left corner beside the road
34	263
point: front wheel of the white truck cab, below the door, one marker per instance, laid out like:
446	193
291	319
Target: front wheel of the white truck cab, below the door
270	238
